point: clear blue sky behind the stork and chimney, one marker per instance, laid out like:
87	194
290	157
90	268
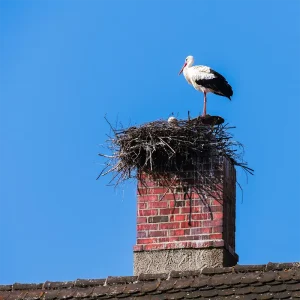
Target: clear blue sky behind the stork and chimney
65	64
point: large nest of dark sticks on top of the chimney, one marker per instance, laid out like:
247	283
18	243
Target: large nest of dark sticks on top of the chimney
160	147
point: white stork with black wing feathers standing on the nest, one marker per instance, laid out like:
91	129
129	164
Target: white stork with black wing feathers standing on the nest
205	80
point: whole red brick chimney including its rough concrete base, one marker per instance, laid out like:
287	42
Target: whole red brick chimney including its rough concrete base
187	221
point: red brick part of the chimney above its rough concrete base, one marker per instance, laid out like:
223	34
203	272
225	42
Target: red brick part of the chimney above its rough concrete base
200	213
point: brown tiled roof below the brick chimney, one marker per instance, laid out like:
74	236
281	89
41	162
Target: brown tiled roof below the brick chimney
271	281
